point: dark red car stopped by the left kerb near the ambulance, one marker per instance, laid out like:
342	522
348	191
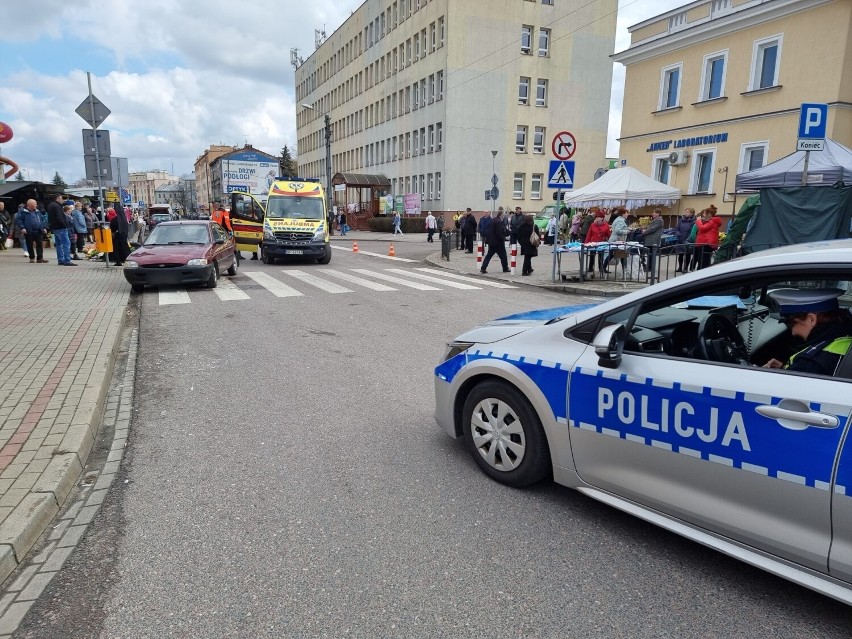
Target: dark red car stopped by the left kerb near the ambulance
185	252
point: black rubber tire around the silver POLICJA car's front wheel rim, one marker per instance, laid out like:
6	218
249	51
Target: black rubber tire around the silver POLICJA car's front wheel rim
535	464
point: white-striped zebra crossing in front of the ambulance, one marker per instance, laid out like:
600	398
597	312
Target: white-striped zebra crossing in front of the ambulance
297	283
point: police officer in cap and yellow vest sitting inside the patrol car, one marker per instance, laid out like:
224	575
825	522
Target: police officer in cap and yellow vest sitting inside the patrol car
816	317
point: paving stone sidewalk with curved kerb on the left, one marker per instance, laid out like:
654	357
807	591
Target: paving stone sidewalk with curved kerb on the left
59	330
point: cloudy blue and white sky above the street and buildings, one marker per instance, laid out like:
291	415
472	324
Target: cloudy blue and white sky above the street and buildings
178	75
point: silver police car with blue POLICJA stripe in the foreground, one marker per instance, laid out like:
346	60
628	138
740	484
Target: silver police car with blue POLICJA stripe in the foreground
662	404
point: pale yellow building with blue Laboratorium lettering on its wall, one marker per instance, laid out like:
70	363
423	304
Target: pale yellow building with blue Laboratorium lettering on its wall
714	88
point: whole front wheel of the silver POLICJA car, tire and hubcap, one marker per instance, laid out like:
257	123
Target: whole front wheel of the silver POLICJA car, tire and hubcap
504	435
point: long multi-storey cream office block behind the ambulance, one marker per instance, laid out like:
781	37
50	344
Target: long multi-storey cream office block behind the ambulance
422	92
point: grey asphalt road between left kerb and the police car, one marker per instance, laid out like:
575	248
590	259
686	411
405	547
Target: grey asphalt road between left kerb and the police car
286	478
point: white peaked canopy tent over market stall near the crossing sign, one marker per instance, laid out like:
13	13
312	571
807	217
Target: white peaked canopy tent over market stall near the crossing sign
625	187
